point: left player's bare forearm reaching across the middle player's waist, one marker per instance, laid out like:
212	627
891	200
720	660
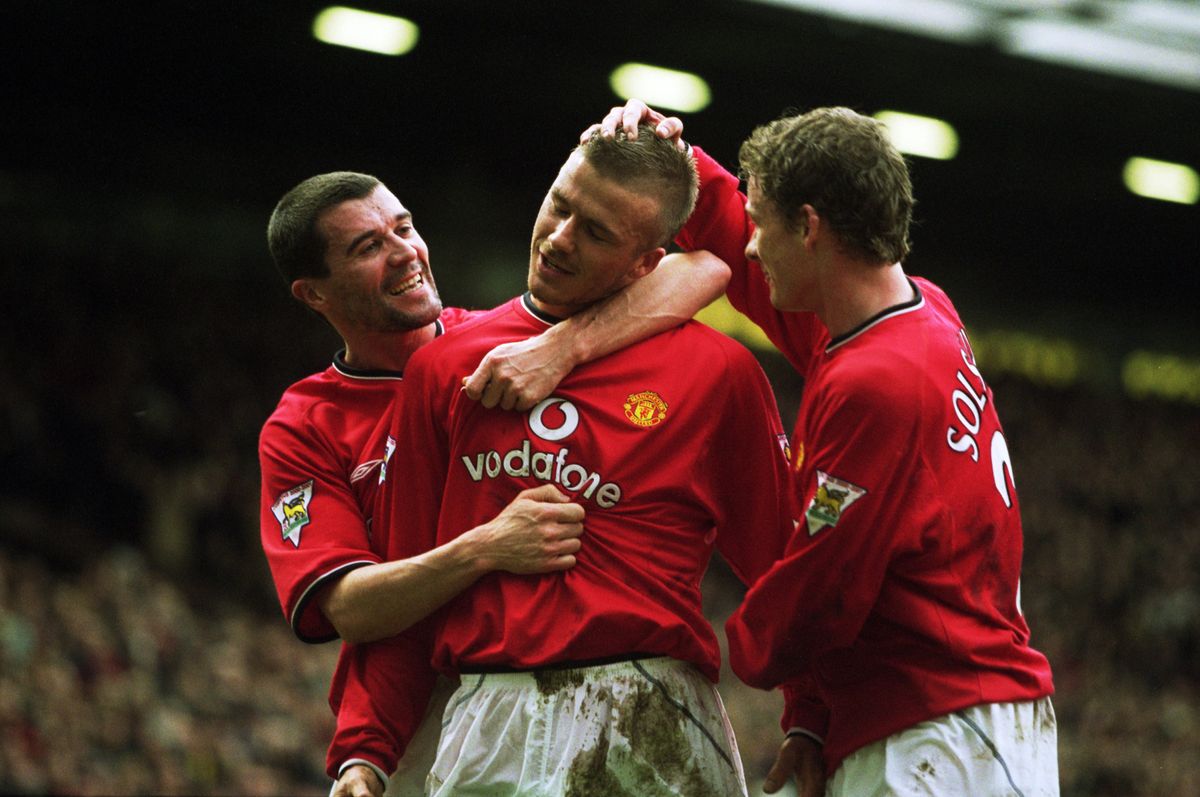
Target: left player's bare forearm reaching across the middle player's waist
382	601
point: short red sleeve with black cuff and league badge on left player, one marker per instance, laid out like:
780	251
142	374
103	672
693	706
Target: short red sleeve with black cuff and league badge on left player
307	498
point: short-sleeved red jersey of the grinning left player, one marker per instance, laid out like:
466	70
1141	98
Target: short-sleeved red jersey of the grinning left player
321	453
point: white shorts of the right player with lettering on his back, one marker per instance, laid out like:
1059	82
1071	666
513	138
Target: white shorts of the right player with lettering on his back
989	751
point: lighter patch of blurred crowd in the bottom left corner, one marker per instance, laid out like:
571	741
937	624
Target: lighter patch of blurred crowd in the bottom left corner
117	682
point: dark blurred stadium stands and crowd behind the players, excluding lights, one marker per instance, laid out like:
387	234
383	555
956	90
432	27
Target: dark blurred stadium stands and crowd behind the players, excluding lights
148	338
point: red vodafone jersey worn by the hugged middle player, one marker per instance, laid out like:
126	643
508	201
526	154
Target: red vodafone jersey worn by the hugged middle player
674	447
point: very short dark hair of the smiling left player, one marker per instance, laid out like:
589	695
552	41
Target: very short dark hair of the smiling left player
292	235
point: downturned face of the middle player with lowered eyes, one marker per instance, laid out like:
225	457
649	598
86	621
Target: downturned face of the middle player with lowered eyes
592	237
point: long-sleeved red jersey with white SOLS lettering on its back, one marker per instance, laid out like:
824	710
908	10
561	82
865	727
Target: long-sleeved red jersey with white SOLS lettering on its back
899	594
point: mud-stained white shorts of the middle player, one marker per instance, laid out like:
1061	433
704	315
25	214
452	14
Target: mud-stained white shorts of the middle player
646	728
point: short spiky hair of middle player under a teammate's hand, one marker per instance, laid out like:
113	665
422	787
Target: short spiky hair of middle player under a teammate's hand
652	166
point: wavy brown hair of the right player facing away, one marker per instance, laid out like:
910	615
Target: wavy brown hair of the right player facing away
845	166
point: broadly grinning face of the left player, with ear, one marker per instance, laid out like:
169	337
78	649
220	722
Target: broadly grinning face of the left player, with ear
380	278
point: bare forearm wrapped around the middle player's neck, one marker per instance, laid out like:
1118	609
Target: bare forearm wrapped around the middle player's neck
676	291
